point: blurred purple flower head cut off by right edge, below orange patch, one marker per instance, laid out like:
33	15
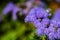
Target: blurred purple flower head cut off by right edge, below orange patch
55	21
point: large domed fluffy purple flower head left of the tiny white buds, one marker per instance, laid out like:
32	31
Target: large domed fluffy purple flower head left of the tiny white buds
34	16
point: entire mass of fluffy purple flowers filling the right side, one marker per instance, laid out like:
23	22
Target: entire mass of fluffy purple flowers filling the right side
45	26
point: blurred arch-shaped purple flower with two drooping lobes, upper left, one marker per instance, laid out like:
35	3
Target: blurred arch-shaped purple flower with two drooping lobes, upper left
11	7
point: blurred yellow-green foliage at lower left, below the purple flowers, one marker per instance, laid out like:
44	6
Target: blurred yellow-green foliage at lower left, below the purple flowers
15	29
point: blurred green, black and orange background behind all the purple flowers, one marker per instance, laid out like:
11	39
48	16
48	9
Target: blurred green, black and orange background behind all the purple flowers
17	29
